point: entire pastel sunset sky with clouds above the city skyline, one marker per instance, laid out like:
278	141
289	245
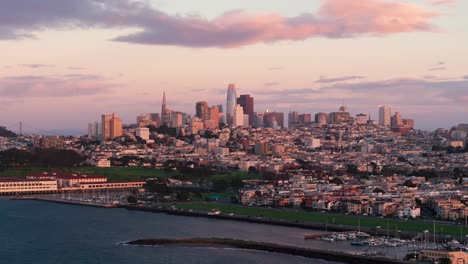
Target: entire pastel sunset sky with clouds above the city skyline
64	63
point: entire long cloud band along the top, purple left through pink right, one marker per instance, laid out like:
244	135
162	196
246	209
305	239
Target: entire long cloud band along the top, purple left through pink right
334	19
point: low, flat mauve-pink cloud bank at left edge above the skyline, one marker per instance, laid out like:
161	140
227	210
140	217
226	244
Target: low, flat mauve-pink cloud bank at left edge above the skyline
49	86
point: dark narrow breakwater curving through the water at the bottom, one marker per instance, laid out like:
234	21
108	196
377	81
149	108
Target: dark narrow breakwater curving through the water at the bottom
266	247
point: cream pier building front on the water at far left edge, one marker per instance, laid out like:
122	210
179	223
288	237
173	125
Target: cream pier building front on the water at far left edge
9	186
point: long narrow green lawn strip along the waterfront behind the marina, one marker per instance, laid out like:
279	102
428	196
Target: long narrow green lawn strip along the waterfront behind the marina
348	220
